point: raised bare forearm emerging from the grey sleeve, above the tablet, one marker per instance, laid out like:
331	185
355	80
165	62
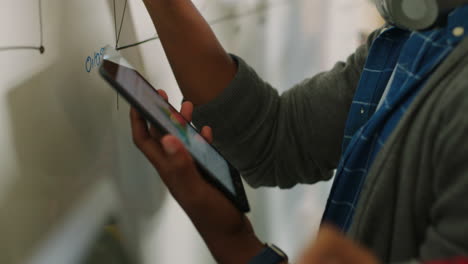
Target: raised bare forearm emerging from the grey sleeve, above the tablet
200	64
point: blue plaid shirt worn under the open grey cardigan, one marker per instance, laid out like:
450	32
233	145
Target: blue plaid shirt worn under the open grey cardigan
411	57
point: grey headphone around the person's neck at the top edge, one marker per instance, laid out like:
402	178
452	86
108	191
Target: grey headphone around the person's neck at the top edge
415	14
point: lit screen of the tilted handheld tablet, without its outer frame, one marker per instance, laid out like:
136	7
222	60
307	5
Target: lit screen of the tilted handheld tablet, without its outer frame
171	120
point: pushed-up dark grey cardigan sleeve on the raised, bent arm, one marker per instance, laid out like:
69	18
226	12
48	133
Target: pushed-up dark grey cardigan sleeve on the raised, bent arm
283	140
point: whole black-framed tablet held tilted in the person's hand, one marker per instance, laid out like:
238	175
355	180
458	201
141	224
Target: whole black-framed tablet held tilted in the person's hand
140	94
